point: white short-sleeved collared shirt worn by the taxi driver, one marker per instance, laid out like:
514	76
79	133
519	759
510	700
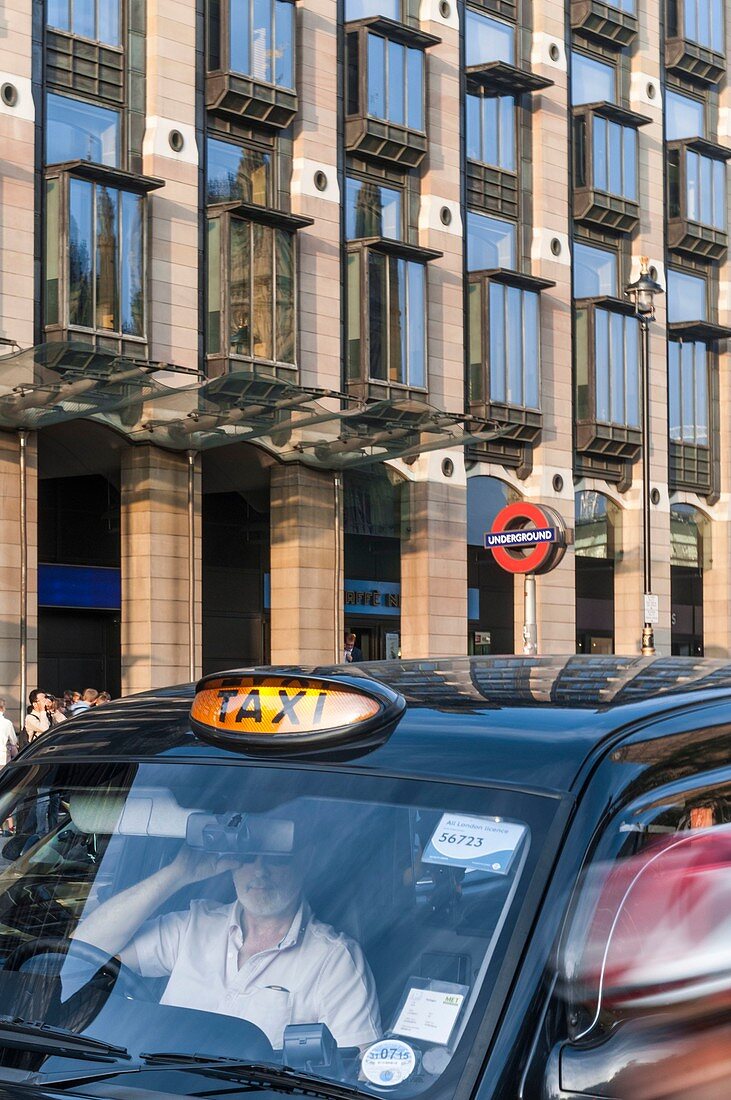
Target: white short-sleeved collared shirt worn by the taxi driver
315	975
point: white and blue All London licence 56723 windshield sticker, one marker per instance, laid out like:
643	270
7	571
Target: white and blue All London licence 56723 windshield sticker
489	844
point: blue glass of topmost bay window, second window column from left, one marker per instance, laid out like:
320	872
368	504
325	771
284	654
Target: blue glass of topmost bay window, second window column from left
262	40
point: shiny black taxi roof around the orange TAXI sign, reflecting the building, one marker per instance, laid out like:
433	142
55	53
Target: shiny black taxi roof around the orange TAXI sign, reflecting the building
530	722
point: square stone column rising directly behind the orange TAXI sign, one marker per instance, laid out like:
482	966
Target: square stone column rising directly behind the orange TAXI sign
306	567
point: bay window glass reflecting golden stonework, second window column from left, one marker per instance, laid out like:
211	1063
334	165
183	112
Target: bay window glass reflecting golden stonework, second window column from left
261	292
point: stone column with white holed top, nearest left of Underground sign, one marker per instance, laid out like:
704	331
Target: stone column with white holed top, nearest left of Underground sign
434	560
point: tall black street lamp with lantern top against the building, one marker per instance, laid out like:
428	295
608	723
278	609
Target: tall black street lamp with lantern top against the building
643	295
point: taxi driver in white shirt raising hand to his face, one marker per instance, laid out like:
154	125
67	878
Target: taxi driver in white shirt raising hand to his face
264	959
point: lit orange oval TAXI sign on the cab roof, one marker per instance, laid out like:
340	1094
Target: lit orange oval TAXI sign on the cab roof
262	711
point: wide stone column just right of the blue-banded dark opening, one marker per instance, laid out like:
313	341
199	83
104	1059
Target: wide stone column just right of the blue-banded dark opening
156	575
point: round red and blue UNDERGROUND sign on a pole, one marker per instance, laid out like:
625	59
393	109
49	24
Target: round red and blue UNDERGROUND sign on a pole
527	538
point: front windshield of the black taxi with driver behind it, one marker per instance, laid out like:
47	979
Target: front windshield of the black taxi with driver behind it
347	926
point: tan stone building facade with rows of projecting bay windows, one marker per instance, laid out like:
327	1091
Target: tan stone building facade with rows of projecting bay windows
294	298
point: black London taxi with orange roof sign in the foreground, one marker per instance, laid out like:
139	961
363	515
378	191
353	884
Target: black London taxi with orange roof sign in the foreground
363	881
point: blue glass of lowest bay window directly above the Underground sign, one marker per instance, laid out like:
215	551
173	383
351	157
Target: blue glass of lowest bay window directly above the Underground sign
514	346
